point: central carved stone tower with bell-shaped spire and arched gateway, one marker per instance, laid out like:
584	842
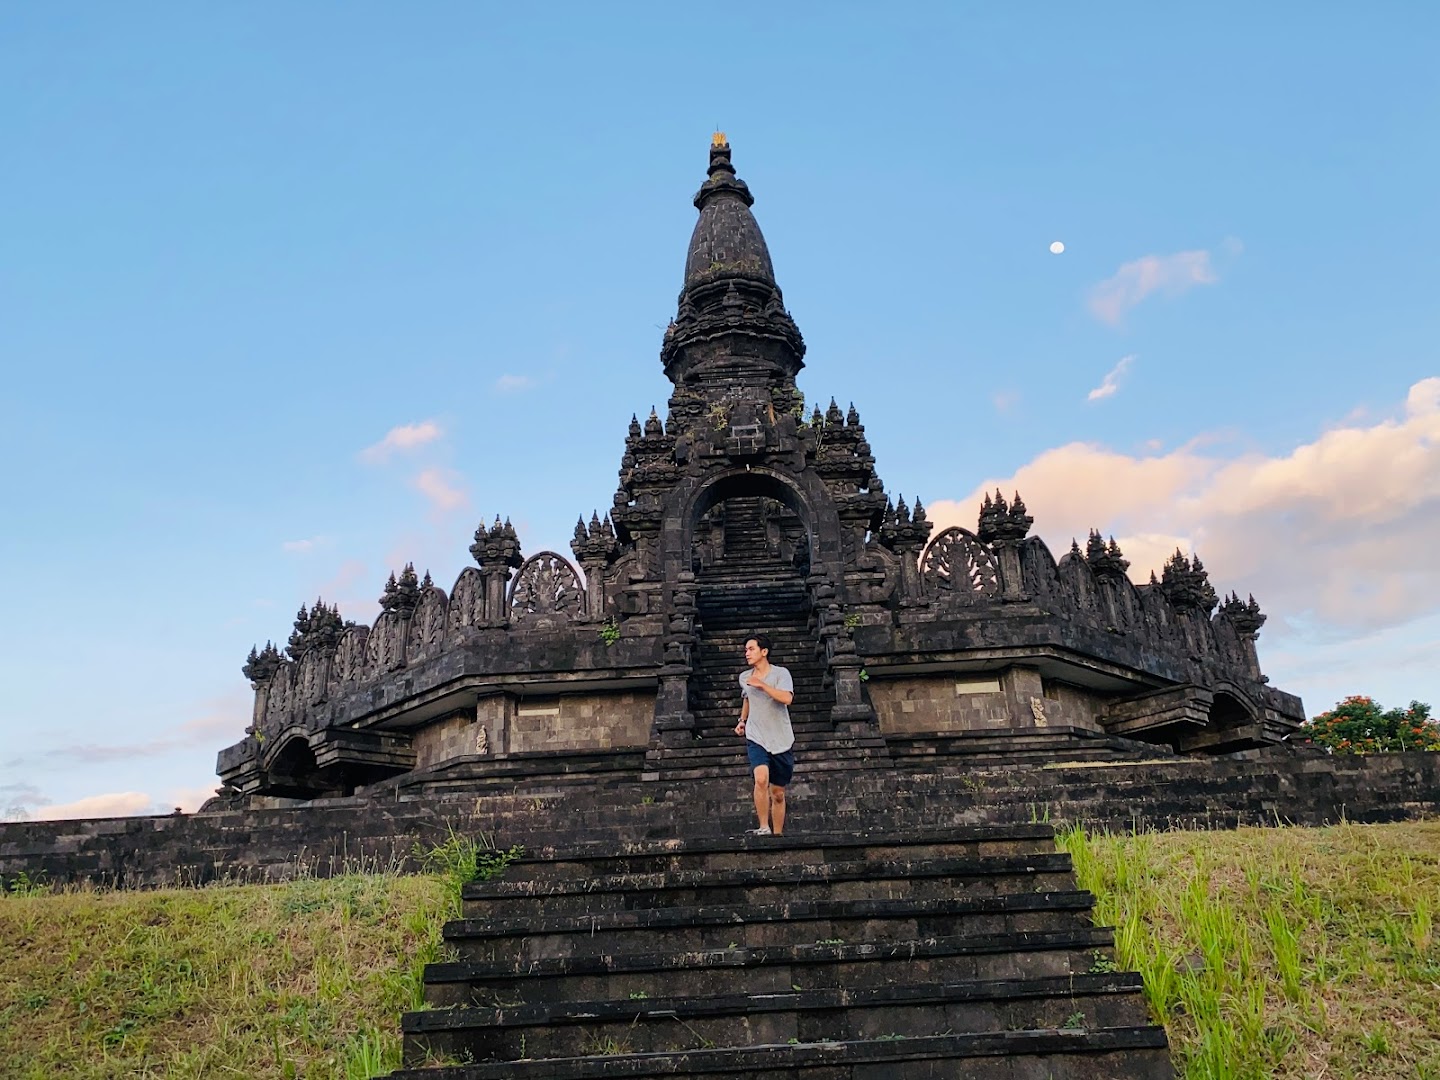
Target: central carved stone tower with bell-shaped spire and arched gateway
739	502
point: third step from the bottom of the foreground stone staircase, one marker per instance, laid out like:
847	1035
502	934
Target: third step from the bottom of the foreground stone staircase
774	970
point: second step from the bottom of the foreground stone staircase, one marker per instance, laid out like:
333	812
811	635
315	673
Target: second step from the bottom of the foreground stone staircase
676	1025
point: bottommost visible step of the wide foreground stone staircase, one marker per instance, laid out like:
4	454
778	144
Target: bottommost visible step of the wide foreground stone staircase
1137	1053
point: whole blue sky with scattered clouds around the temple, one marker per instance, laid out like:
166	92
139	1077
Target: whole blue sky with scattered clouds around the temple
241	246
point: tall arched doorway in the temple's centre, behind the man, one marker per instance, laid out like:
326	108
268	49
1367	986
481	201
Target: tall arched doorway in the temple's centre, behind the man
751	552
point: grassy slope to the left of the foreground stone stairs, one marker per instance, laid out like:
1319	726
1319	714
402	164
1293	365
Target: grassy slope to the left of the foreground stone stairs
300	980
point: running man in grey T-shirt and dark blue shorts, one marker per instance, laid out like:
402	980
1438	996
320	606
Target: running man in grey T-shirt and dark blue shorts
765	725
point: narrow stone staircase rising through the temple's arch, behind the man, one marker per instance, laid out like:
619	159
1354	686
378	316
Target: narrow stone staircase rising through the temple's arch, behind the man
751	590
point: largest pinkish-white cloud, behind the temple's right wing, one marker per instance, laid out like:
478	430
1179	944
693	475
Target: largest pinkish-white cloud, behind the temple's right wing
1338	531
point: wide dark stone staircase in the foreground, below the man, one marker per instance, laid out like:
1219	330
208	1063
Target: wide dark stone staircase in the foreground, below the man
954	953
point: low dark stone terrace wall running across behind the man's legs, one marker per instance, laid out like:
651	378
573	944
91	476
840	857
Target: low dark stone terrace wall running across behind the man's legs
346	834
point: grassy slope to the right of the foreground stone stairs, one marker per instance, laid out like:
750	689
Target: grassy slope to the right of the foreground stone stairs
1281	953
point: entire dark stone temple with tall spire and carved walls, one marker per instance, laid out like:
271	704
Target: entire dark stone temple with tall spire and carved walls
744	510
